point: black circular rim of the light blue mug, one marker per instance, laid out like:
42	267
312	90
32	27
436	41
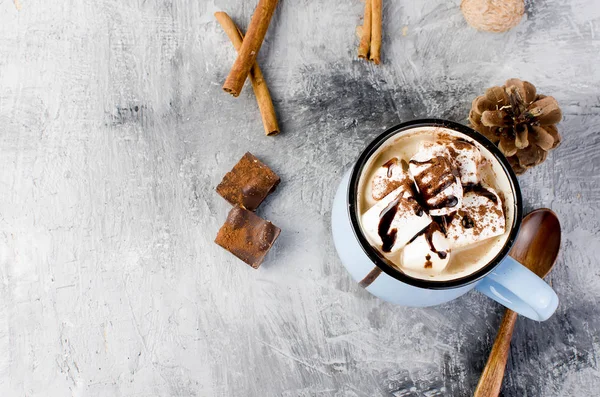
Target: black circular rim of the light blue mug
383	263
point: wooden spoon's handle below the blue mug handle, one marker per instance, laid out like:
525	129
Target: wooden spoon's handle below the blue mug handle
491	379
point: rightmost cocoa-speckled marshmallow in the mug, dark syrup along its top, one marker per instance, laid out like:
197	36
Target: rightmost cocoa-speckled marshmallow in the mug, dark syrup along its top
481	217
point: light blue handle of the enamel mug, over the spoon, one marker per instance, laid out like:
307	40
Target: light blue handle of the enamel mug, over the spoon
518	288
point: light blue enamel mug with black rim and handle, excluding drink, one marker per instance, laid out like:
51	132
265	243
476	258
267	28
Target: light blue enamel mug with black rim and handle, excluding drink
503	279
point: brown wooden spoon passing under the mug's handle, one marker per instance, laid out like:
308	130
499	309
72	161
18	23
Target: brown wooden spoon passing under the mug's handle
536	248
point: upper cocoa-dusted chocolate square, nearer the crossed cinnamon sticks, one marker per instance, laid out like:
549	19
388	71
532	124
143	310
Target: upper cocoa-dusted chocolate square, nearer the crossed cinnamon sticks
248	183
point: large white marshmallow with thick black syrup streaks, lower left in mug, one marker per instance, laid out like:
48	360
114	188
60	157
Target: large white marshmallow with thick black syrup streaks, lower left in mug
394	220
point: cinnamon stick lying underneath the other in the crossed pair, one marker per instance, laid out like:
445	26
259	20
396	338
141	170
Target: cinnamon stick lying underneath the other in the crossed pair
259	85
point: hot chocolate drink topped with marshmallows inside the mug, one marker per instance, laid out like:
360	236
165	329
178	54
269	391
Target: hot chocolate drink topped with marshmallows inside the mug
435	203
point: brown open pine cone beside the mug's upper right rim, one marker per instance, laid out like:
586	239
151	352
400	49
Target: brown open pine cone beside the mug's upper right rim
518	120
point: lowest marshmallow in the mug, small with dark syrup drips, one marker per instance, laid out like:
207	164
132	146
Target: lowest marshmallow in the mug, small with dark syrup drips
428	253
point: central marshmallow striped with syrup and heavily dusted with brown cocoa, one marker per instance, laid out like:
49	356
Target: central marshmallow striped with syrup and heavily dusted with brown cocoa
437	179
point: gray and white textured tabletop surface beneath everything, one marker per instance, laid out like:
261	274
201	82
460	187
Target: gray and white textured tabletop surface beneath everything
114	132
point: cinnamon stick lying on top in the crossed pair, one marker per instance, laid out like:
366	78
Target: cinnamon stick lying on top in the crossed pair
250	47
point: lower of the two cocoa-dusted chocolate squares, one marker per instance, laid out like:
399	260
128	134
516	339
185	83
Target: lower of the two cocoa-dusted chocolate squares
247	236
